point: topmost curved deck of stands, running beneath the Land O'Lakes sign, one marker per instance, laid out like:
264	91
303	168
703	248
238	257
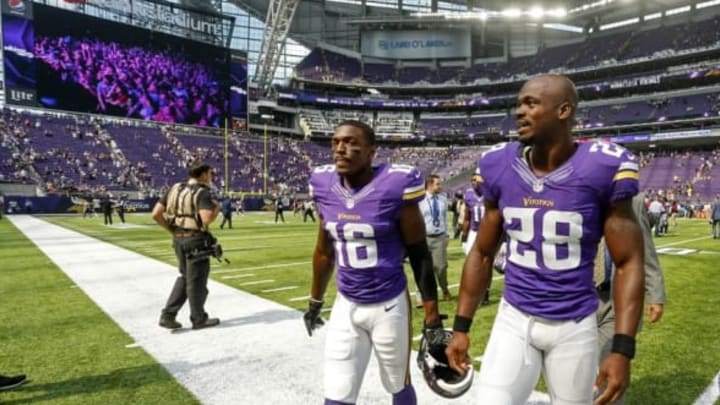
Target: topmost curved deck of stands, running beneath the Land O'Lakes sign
602	49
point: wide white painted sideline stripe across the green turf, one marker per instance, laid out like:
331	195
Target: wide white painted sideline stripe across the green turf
260	352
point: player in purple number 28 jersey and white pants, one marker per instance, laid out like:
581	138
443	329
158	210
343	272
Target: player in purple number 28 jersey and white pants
554	198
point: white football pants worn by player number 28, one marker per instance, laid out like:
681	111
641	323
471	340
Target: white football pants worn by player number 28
521	346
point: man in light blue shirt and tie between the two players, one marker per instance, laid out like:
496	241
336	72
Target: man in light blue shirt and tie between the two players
434	210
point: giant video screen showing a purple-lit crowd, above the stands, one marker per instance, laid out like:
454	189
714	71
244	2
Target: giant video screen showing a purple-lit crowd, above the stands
91	65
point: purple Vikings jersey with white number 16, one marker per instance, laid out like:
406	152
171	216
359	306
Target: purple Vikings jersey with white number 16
364	225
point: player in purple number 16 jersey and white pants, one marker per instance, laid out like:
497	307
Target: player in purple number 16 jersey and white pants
369	222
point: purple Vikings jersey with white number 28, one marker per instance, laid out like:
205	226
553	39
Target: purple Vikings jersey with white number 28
553	223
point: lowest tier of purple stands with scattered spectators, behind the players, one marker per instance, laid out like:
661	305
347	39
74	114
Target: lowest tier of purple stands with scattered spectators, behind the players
80	155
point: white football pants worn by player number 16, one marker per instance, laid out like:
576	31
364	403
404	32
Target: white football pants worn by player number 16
356	329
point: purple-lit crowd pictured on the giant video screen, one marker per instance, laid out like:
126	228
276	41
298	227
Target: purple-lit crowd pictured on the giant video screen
145	84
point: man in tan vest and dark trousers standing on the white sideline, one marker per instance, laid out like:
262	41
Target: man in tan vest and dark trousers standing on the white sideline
186	211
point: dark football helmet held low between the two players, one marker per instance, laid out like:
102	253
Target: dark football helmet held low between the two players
437	373
